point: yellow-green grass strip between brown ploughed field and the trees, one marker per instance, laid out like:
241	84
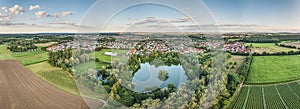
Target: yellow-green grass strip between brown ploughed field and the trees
55	76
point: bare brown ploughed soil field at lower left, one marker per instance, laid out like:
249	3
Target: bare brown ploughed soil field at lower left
20	89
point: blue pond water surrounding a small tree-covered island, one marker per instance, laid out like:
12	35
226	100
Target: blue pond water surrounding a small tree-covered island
147	76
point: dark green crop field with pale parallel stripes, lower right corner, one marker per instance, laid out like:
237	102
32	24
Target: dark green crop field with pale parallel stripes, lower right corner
280	96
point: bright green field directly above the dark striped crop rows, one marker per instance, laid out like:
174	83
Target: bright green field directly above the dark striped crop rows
274	69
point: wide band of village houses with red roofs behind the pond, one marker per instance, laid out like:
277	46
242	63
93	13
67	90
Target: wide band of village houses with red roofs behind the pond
146	45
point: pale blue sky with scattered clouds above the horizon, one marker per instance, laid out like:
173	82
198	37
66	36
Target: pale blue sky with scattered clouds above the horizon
55	16
